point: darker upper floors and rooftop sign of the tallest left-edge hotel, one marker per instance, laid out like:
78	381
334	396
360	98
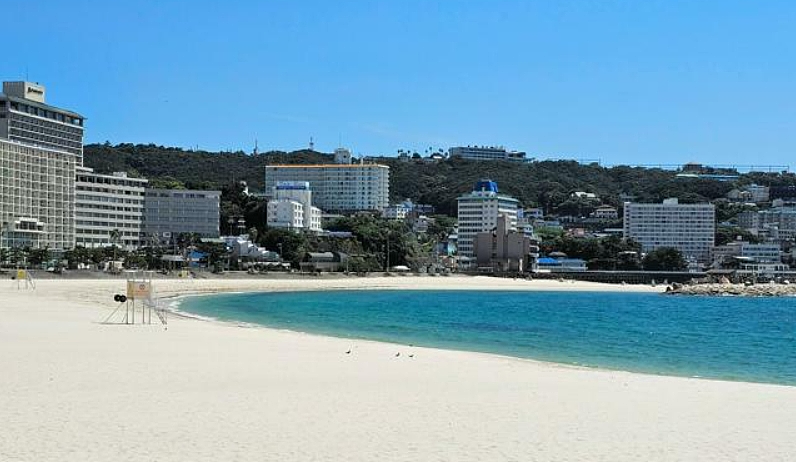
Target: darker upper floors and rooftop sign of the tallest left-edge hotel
25	117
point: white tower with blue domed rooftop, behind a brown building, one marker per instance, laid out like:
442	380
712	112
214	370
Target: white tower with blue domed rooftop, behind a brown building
478	212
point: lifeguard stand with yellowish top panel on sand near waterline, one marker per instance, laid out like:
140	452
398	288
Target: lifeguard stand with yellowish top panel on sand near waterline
140	298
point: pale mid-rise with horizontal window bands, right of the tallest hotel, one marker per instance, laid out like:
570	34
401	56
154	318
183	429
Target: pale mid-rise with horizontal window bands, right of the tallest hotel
106	204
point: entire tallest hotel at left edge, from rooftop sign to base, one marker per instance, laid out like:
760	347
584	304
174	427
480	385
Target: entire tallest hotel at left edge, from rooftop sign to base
40	148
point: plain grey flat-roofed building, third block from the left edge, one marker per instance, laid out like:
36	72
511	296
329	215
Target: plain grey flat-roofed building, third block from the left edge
170	212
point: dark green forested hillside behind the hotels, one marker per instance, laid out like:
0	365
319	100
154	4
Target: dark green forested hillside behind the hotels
547	184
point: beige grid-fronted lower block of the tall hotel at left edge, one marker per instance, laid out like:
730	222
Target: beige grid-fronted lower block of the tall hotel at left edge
37	196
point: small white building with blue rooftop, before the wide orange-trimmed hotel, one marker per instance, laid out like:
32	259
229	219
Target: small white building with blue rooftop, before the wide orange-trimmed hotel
291	207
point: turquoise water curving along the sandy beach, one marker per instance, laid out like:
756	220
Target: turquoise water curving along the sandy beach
732	338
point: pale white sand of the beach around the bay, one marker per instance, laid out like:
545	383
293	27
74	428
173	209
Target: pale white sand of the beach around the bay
72	389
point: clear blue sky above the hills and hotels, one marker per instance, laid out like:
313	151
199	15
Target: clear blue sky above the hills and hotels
624	81
